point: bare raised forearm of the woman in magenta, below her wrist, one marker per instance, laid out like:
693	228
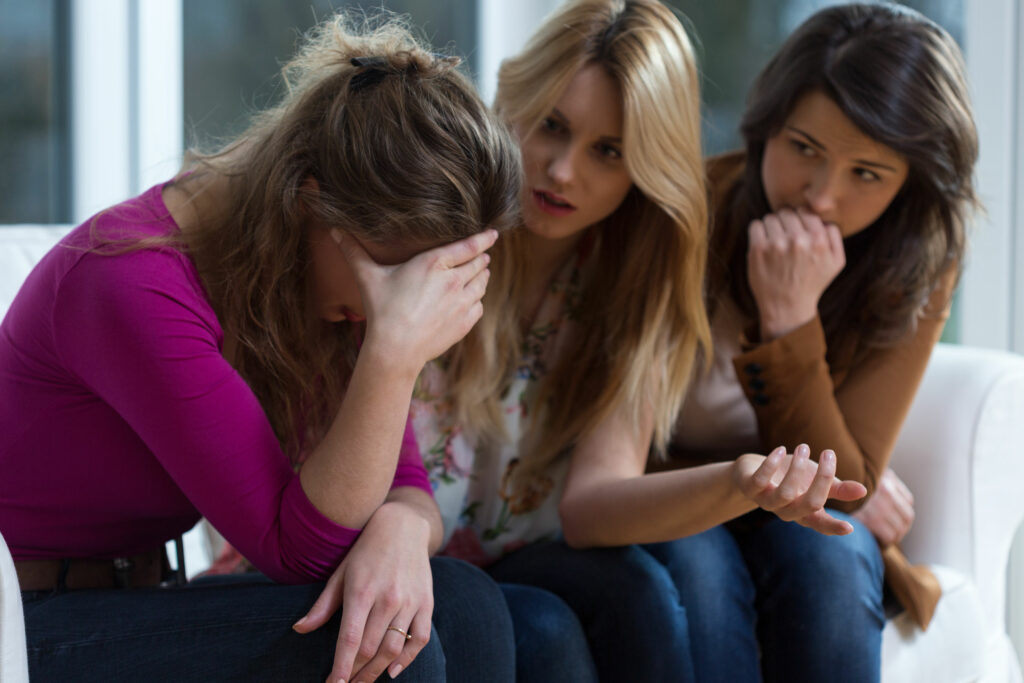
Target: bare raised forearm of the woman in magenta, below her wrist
350	474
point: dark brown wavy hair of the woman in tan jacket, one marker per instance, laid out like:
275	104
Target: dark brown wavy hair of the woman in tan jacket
901	79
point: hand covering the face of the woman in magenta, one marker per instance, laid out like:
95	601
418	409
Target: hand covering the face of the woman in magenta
417	310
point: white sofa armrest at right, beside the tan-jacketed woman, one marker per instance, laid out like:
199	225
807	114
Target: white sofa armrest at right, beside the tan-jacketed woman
960	453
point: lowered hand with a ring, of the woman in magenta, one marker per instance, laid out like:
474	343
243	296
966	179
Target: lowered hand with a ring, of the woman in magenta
387	588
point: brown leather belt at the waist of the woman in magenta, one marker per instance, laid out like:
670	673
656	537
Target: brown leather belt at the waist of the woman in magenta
73	575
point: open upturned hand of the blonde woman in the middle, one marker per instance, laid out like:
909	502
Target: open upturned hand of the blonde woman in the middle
795	488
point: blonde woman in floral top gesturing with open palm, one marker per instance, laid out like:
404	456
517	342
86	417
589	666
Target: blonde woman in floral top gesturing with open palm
541	422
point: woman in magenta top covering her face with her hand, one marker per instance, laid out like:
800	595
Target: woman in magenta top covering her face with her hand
178	355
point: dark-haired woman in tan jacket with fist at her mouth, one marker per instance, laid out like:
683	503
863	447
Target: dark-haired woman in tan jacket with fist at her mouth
838	238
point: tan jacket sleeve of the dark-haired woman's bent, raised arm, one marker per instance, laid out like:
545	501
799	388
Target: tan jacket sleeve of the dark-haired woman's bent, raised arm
796	400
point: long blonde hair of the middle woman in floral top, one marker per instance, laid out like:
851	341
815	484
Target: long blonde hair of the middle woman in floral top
643	313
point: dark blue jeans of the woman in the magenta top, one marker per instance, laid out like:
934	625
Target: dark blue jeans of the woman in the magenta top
241	630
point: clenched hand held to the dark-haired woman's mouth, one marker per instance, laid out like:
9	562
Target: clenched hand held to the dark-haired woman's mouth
792	259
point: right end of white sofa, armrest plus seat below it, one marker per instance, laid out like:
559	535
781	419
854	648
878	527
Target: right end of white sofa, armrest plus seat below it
960	454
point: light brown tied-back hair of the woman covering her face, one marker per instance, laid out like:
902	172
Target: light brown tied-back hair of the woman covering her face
403	150
